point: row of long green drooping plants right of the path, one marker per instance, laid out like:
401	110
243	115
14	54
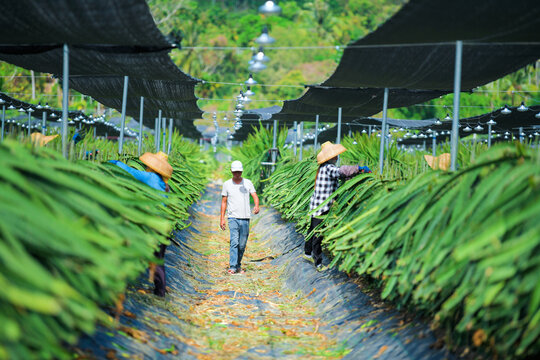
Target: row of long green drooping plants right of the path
462	247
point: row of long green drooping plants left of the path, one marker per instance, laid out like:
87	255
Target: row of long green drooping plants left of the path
72	236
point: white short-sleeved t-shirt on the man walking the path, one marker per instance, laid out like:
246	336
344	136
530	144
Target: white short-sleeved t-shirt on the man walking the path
238	198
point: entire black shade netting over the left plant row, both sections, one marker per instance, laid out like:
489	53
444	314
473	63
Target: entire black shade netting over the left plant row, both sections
111	39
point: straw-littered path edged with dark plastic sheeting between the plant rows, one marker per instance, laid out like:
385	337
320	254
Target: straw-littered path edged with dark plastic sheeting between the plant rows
278	309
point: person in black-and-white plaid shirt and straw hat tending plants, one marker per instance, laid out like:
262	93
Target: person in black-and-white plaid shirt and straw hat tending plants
326	182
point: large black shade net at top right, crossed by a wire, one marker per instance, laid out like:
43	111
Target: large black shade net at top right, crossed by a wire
415	48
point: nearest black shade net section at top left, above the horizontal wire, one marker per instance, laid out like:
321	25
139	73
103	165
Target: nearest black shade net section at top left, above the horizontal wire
102	22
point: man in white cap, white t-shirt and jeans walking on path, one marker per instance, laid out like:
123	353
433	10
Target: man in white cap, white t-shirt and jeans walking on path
235	199
